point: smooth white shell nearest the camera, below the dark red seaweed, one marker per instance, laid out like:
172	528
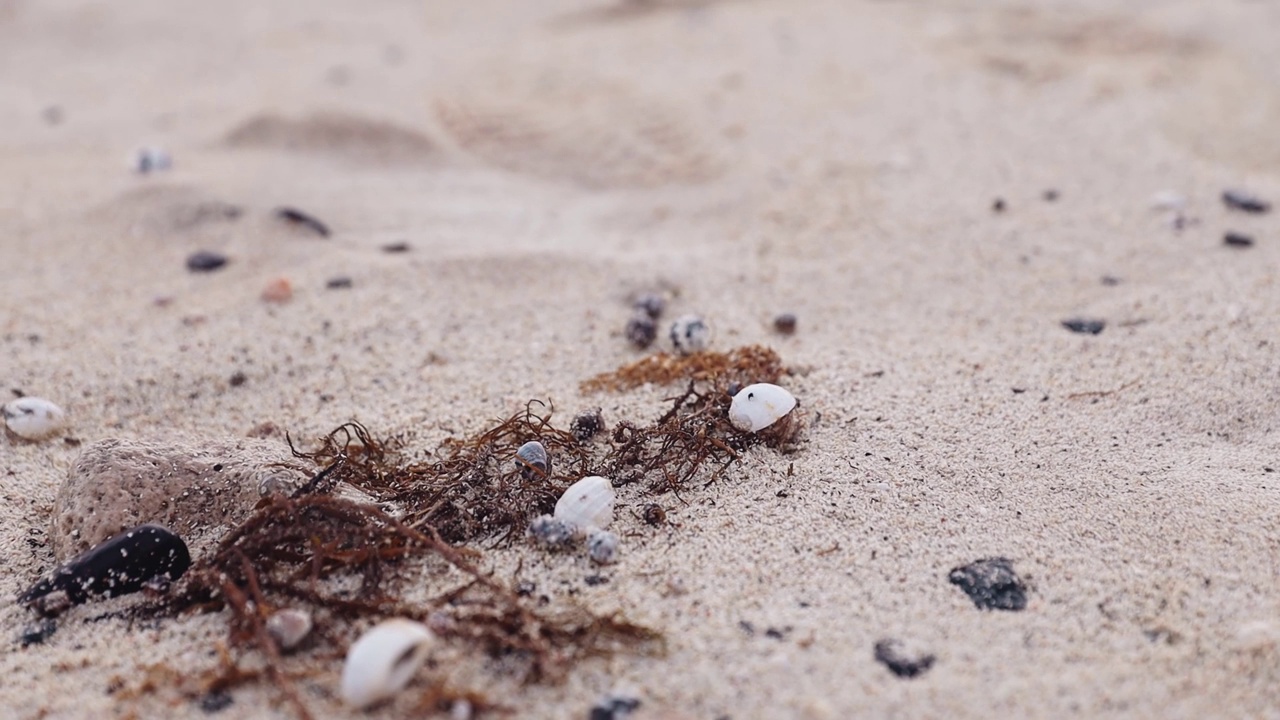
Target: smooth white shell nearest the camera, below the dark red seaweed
383	662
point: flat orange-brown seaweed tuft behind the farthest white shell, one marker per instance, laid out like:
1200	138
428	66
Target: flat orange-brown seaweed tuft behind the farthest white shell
742	366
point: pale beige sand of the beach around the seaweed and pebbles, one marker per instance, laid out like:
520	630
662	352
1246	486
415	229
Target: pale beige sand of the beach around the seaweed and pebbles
836	160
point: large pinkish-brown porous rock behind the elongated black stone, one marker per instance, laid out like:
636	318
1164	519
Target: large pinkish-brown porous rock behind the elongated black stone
198	489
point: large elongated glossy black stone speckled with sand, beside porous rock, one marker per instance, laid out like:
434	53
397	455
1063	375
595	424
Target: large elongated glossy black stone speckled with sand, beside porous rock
117	567
